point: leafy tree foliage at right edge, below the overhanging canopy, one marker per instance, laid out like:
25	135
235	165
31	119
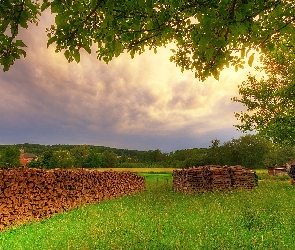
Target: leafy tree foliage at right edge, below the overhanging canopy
270	101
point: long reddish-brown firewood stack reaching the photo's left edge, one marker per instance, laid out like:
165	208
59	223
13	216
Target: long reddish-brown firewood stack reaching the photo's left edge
27	194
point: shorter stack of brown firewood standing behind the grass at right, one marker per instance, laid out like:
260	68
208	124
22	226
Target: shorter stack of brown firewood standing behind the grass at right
212	178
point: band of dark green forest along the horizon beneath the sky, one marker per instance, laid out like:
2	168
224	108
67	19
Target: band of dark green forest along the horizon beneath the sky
251	151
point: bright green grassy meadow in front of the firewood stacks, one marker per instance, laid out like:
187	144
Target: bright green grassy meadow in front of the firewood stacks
160	218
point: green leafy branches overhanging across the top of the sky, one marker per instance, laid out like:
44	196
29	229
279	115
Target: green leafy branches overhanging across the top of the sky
207	33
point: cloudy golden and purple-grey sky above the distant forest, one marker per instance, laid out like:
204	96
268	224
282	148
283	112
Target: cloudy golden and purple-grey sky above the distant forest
145	103
